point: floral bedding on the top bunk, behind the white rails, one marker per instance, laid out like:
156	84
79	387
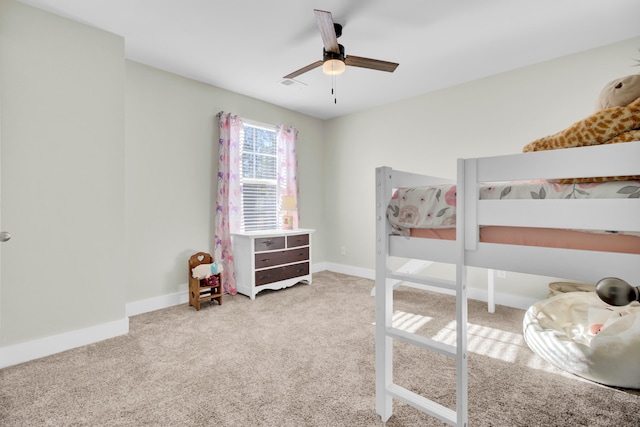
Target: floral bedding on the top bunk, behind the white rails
435	206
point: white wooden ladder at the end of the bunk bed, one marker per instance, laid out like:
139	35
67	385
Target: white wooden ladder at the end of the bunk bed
386	389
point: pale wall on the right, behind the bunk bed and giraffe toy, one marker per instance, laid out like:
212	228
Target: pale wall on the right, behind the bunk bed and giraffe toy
492	116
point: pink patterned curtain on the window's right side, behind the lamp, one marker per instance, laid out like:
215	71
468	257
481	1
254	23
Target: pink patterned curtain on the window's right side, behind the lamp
286	138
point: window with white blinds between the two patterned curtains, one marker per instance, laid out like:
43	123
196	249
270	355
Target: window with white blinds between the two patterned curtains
258	177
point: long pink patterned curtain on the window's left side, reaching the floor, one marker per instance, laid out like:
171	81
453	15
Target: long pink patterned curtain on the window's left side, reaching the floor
229	197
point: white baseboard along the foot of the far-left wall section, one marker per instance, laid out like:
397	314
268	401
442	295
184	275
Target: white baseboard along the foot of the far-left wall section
35	349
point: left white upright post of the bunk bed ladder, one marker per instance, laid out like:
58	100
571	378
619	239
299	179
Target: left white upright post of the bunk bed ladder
384	298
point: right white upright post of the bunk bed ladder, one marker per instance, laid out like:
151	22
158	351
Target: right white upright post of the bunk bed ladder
461	293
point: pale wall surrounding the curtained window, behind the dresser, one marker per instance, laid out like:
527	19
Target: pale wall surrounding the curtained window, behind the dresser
171	158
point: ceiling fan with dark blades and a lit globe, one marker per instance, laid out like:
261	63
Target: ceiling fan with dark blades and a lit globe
334	60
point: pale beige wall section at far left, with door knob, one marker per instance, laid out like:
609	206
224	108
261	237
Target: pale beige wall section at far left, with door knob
62	175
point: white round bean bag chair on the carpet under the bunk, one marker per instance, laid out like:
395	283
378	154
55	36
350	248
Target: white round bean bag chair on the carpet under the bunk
580	334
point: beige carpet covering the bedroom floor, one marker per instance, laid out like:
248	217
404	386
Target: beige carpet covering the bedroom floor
302	356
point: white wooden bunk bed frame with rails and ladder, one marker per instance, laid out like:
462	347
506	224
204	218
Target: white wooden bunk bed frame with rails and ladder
581	265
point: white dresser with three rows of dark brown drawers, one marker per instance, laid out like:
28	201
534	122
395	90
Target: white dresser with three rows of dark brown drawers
272	259
